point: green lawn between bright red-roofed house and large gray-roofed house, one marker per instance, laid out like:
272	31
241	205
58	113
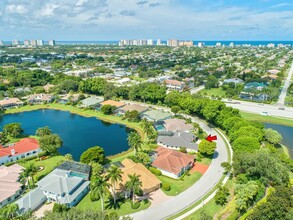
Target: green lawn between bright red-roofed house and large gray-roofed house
48	164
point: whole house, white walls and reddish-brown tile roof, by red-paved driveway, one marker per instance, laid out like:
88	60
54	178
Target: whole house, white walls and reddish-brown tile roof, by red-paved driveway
172	163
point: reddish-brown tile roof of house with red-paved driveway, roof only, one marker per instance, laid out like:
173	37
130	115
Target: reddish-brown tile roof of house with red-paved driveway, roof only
171	160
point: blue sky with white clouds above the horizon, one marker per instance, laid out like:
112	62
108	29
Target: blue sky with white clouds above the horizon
146	19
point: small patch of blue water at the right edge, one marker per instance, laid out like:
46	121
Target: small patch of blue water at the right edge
286	132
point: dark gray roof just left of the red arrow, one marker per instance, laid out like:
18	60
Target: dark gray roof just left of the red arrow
179	139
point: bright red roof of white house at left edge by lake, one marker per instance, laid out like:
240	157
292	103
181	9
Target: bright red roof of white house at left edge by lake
23	146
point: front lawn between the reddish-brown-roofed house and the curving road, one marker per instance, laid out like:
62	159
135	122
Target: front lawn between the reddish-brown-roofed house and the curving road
180	185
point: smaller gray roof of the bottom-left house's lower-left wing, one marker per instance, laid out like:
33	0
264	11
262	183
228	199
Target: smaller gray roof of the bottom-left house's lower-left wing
31	200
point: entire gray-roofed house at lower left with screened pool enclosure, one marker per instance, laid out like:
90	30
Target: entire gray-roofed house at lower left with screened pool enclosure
64	186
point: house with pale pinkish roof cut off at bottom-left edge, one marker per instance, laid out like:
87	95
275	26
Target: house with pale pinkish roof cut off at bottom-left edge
10	187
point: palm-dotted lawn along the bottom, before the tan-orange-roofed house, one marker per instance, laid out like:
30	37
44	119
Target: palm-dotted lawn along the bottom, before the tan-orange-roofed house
125	208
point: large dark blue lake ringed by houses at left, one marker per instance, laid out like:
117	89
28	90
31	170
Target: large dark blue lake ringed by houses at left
77	132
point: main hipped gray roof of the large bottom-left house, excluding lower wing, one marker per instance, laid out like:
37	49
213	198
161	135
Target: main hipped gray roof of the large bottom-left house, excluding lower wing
58	182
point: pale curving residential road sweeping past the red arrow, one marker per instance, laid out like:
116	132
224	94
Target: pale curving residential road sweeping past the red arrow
197	191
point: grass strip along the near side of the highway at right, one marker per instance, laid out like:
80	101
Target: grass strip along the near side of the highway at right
270	119
